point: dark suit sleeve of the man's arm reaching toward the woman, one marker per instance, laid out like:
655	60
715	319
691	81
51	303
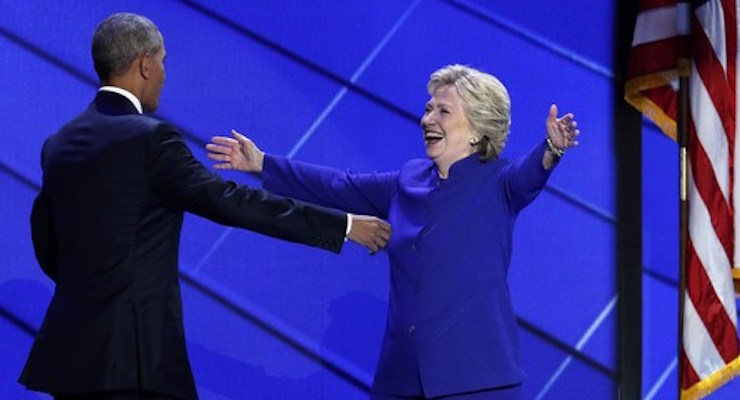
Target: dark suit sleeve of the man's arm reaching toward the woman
184	183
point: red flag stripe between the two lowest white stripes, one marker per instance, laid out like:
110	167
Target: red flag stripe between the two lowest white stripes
709	307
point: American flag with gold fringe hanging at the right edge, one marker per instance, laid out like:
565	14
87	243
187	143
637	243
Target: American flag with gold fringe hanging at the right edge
699	39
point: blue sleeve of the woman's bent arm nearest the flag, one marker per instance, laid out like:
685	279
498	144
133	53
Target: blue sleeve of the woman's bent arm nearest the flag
525	178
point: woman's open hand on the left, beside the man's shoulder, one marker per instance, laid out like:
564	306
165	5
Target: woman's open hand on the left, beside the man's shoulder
238	153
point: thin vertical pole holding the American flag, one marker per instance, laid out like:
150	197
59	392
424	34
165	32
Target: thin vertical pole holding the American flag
682	136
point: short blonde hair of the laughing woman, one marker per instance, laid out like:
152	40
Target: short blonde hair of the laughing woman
486	103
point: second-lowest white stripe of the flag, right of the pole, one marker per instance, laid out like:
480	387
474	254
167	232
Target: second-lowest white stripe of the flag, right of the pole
709	250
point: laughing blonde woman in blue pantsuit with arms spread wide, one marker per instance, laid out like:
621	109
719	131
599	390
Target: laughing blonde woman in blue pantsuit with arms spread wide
451	331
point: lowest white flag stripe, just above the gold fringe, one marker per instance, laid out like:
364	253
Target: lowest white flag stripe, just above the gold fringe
698	345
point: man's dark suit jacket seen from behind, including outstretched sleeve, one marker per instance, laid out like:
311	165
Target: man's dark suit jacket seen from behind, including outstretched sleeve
106	228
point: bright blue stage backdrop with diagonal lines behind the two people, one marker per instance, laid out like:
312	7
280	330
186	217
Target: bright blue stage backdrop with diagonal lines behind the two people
343	83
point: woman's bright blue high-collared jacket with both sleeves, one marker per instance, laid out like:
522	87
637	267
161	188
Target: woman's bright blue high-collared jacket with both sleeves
450	327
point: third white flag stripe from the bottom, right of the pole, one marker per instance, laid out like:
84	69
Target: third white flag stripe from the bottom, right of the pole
710	131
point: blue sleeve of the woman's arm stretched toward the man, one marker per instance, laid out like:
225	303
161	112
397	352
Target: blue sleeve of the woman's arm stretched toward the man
356	193
